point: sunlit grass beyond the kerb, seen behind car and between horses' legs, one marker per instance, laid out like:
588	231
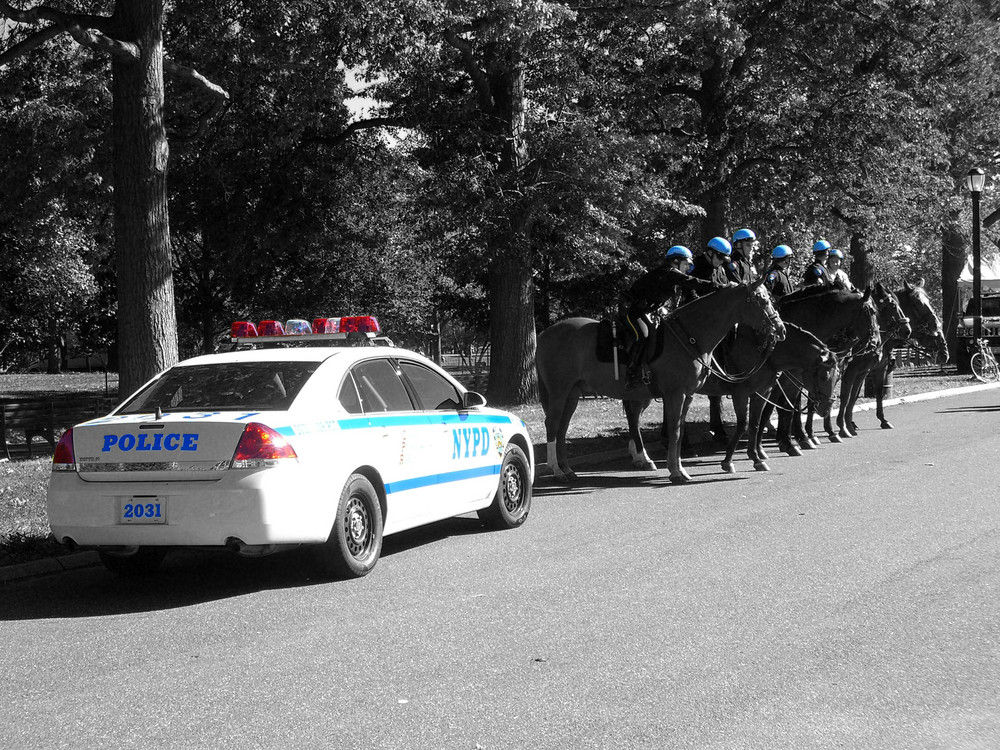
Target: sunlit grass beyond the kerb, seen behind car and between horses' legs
597	426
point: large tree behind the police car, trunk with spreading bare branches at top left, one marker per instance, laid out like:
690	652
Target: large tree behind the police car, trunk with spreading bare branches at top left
133	35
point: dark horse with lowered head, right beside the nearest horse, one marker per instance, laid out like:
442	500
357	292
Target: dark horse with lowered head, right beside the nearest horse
801	355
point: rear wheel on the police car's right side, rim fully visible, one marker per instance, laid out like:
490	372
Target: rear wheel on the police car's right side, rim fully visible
355	541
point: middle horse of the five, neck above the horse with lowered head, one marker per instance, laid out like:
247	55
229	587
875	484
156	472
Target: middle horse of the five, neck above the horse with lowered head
843	321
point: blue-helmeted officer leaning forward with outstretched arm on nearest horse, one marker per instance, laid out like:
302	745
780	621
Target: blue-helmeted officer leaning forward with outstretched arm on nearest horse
647	294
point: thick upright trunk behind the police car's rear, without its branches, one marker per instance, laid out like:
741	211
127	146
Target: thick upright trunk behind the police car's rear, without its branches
147	327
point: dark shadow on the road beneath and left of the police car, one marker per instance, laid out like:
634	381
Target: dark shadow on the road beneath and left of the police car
194	576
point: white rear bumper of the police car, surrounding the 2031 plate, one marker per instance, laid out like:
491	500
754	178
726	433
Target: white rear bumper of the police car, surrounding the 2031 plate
257	507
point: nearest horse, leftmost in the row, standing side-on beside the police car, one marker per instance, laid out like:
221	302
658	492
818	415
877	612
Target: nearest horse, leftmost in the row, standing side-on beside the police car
568	367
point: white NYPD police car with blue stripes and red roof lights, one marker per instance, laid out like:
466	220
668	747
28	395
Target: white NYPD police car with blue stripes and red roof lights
268	447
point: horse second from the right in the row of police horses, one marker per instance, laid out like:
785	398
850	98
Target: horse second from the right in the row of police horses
893	326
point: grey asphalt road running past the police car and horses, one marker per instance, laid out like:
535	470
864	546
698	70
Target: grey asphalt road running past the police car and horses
848	599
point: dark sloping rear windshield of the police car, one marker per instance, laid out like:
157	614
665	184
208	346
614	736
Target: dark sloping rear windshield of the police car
255	386
